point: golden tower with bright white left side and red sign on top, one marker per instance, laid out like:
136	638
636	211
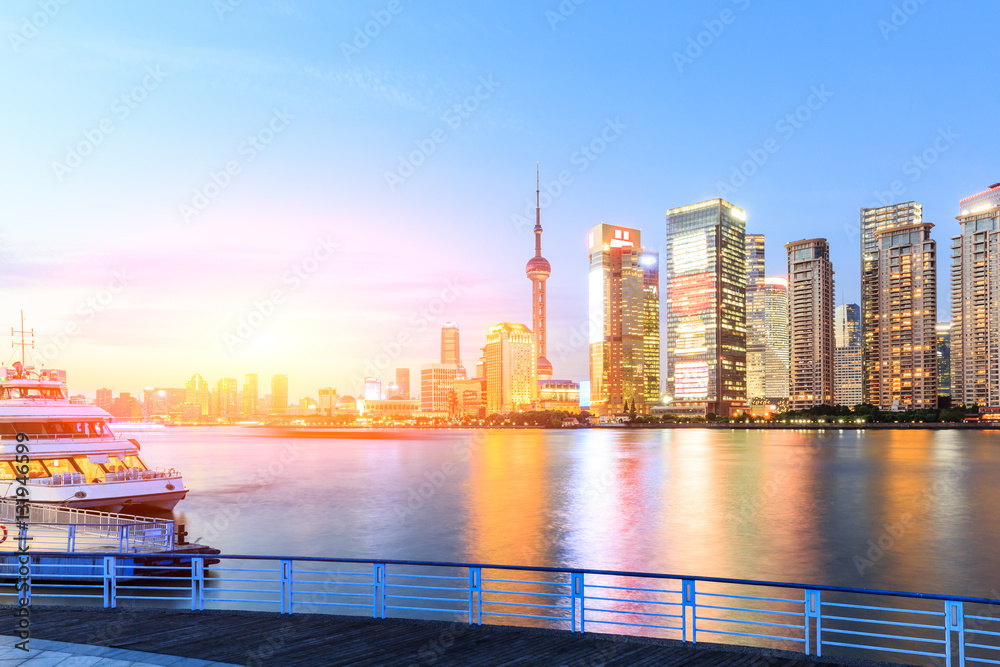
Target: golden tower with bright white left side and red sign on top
616	300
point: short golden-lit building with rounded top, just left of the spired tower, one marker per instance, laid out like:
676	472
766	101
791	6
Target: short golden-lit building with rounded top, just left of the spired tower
511	368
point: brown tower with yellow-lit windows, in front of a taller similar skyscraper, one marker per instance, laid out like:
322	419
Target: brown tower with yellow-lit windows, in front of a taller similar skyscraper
902	369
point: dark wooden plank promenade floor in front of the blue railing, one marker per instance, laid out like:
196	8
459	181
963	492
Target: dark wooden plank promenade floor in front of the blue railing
259	638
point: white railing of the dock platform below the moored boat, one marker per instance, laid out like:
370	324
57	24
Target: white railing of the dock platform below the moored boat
65	529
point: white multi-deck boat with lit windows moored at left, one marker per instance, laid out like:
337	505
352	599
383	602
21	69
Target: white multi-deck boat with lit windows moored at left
75	460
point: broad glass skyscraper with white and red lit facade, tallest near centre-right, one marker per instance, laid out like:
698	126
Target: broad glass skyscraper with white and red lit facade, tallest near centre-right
706	308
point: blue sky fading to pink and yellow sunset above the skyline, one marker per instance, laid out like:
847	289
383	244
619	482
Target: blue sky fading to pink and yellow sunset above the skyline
233	186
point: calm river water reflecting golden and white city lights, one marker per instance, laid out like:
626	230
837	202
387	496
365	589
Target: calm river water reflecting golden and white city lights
902	510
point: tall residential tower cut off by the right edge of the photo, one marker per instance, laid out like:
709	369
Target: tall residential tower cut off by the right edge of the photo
975	302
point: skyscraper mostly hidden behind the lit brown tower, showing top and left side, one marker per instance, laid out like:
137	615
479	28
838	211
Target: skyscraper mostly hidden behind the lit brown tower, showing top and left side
874	220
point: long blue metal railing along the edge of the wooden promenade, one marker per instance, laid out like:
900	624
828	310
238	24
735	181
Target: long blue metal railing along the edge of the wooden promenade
813	620
